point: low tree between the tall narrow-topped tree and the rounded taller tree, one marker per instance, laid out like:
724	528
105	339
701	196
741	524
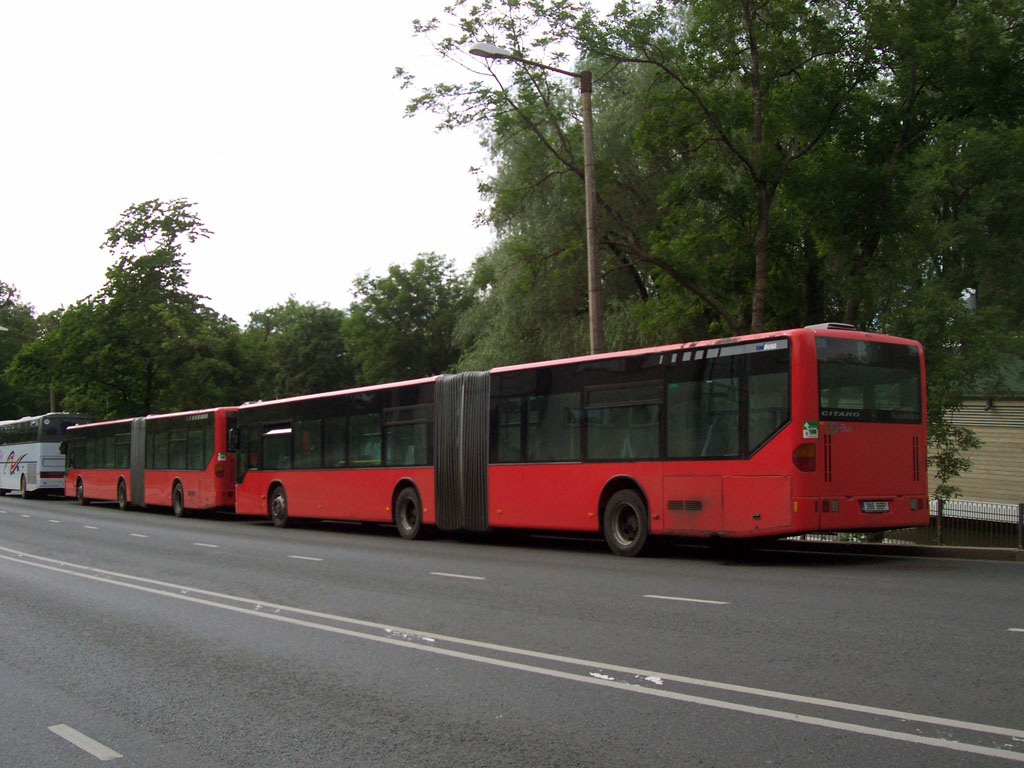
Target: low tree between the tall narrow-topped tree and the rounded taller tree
297	350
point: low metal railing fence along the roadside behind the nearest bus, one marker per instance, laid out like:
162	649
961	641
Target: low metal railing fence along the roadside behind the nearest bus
956	523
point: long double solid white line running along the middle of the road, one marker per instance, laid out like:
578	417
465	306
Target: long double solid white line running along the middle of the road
259	610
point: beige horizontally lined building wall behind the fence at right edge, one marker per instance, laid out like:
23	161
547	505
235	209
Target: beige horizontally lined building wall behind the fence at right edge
998	475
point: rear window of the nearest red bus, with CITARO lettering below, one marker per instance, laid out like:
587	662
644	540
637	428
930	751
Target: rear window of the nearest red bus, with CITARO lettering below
869	381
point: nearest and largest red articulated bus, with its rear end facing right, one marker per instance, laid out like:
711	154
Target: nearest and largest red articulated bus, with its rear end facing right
757	437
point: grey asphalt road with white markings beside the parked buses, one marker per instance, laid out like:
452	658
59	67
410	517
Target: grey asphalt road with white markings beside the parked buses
140	639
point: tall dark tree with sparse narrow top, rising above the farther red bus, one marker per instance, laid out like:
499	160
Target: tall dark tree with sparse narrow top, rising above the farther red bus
144	344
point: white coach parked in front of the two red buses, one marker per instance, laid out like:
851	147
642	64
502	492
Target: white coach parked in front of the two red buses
31	461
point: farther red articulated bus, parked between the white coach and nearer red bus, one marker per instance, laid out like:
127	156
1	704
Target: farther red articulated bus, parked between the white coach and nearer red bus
180	461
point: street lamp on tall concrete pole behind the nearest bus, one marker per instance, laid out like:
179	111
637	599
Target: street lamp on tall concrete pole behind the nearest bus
487	51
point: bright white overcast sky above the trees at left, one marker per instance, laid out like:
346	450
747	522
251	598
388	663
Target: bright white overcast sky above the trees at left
280	121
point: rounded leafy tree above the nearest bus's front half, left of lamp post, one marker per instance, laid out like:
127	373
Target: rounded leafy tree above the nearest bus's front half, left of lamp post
403	325
